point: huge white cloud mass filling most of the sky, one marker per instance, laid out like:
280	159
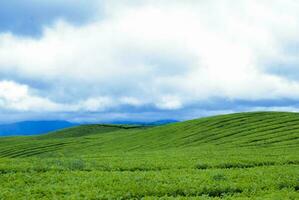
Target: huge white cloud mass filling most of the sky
168	54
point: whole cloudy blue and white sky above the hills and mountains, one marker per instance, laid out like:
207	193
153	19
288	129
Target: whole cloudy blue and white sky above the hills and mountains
107	60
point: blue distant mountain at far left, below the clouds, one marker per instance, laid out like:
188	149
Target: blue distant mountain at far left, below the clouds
33	127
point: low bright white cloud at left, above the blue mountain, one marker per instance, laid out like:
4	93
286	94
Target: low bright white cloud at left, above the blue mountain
18	97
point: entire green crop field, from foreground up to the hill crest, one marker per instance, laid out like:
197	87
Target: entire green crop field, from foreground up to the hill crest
235	156
